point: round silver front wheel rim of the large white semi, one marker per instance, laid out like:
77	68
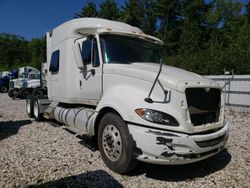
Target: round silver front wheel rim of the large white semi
112	142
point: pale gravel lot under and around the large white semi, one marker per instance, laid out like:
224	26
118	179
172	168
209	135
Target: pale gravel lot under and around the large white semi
36	154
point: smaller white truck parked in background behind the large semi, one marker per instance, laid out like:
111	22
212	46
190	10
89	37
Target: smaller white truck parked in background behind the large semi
28	81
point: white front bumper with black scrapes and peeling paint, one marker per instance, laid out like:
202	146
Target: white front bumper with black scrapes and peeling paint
165	147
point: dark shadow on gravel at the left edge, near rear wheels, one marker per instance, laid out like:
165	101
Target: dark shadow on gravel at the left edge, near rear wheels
9	128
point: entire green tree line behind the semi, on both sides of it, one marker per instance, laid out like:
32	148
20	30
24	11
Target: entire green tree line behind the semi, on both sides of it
201	36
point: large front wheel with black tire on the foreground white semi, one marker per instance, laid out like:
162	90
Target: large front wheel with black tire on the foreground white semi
116	144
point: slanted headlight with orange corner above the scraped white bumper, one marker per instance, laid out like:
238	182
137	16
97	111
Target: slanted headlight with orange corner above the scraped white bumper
158	117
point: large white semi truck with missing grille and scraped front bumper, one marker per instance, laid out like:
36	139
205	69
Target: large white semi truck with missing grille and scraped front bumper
106	79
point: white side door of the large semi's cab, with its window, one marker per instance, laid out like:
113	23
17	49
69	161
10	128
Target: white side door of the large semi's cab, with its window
91	75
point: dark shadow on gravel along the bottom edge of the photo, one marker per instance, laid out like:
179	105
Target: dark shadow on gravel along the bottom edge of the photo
98	178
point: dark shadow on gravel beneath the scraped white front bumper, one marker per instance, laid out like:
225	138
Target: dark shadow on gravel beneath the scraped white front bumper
184	172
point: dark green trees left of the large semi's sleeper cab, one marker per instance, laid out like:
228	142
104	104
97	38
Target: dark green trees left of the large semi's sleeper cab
16	52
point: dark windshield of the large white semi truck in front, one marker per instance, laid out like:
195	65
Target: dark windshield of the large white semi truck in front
124	50
